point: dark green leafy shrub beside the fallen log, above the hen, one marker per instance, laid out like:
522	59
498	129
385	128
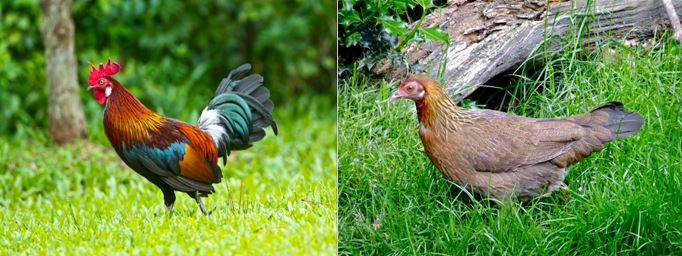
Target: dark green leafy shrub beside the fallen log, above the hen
370	30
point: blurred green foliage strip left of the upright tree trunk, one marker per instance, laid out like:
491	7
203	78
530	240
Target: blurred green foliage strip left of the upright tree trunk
22	76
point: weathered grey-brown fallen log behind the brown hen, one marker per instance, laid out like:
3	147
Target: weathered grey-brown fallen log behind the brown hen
490	38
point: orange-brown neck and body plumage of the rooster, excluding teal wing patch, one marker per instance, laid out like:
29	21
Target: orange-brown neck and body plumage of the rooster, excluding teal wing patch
128	123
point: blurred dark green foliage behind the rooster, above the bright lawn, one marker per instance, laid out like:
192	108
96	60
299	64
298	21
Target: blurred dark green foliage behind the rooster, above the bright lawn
173	54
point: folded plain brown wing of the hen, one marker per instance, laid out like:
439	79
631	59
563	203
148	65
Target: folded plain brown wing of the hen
499	142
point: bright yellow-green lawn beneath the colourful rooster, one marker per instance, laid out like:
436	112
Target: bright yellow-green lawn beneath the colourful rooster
278	197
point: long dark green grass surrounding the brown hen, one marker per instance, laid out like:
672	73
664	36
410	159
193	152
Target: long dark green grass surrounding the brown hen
626	199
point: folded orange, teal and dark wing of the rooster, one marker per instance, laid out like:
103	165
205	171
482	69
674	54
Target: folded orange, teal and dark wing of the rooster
179	154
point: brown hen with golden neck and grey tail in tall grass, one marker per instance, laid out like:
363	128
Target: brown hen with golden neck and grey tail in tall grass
501	155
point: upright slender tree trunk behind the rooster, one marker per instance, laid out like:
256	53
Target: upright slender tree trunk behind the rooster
67	123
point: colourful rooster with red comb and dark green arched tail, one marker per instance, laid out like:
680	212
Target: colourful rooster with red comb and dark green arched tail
174	155
